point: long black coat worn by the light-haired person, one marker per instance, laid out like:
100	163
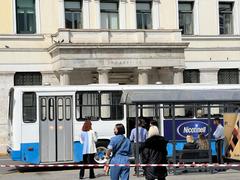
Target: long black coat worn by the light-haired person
154	151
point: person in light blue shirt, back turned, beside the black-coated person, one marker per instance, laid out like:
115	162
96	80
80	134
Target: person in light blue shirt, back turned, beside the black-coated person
142	136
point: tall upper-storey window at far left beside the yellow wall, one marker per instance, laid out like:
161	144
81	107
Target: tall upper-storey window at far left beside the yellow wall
25	16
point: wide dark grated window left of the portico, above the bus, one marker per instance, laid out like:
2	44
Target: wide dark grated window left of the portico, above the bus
24	79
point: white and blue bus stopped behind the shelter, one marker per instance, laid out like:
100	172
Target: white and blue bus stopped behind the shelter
45	121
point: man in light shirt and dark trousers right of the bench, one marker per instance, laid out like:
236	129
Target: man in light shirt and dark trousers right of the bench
219	137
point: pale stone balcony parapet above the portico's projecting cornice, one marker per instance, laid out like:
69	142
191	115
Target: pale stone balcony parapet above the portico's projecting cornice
117	36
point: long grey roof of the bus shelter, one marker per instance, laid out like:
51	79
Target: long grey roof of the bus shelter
180	96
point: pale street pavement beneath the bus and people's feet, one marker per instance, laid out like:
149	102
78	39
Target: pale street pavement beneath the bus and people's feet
72	174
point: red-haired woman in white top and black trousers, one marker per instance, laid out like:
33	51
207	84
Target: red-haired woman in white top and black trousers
88	138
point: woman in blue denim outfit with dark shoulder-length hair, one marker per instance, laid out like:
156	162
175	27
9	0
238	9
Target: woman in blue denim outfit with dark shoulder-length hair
120	147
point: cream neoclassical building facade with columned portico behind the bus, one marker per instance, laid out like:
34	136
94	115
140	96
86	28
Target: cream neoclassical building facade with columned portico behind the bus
71	42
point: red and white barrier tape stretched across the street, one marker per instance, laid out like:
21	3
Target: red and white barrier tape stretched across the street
119	165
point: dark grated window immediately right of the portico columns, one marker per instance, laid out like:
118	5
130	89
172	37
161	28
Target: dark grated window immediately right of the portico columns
191	76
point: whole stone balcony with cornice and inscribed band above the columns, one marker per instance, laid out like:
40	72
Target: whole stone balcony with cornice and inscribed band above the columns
117	48
